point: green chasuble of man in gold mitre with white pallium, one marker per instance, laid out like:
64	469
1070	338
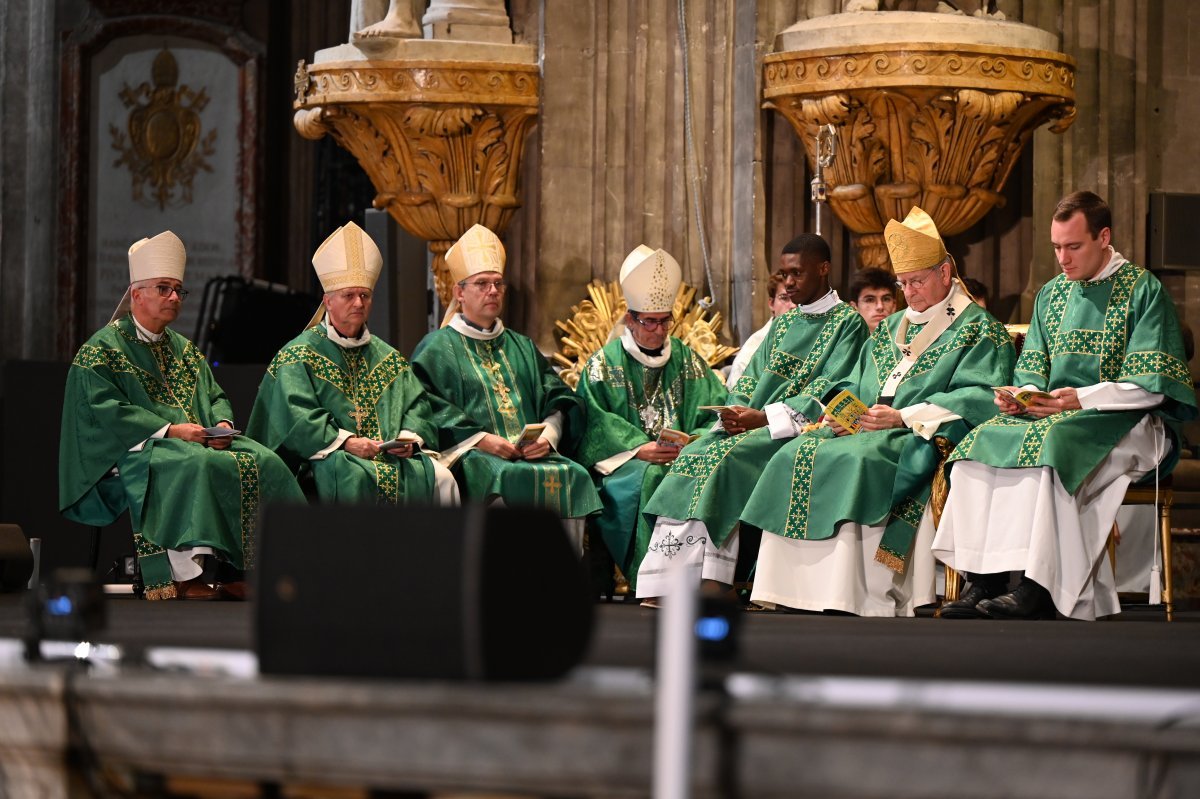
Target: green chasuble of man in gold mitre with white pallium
820	480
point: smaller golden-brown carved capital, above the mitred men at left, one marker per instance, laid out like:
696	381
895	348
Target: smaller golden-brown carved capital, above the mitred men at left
441	142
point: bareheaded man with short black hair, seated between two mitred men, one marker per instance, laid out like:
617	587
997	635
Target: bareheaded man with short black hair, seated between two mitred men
699	503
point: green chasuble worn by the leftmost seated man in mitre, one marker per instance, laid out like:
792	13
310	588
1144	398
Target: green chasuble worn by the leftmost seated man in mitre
121	392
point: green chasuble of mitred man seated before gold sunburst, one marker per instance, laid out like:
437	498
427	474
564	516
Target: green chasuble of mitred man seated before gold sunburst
628	405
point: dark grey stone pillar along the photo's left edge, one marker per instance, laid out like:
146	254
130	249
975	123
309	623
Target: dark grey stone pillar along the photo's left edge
29	93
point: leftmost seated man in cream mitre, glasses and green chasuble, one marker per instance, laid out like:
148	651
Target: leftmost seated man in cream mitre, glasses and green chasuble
142	430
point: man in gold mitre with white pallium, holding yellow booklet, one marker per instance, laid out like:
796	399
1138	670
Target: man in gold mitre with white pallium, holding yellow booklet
844	516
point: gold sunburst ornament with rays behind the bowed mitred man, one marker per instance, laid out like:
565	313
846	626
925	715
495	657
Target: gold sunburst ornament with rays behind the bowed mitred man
593	325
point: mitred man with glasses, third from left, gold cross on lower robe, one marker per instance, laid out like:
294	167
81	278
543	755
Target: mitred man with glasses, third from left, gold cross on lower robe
489	385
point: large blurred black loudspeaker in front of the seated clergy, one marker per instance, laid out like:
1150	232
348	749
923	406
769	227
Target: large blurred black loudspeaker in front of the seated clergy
439	593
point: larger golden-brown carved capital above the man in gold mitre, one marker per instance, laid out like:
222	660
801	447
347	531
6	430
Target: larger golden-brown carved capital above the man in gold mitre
932	124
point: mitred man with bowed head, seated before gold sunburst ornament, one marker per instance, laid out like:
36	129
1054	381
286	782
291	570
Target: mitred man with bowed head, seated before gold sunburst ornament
635	388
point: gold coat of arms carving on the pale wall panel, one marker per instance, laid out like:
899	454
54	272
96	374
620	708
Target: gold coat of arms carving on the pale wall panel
165	148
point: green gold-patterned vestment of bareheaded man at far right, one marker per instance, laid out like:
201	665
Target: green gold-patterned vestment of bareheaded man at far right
1123	329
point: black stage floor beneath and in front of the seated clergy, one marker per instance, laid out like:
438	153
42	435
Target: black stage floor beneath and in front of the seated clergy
1138	648
